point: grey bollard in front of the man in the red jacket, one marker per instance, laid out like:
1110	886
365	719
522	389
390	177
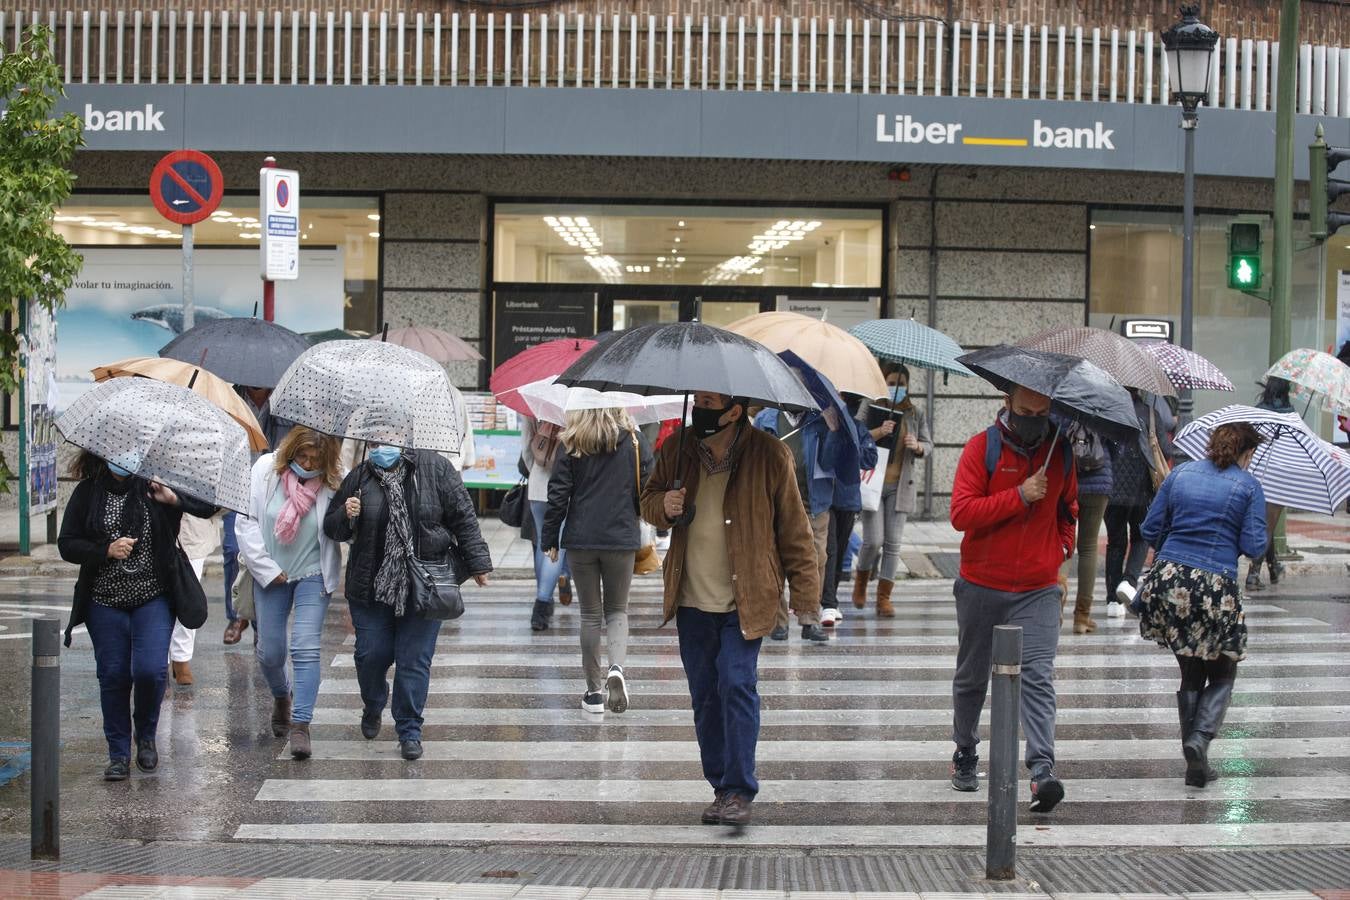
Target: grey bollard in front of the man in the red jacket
1001	841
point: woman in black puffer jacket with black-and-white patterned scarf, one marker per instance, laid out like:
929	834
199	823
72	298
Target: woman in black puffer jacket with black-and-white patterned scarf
394	507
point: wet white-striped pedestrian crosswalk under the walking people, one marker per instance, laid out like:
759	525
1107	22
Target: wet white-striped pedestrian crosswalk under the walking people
854	751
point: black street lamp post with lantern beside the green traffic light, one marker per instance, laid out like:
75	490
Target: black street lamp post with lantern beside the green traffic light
1190	48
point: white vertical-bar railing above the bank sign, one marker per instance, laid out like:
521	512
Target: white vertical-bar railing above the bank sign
723	53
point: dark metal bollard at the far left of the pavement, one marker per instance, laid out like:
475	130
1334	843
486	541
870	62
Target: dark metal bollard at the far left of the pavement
47	740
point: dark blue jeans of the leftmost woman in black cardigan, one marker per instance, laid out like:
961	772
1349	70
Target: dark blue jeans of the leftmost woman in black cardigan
132	658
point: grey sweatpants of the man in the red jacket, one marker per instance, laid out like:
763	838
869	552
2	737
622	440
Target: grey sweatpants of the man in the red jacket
978	611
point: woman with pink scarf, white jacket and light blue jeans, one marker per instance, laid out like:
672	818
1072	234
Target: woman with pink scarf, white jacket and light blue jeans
295	569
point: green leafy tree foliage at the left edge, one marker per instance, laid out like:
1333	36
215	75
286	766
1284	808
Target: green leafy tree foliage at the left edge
36	153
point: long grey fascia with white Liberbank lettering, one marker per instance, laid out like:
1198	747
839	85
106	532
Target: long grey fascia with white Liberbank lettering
566	122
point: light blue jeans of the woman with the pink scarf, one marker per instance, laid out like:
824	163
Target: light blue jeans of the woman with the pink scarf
275	605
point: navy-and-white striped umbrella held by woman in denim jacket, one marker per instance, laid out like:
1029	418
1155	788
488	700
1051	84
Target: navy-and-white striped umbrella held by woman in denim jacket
1295	468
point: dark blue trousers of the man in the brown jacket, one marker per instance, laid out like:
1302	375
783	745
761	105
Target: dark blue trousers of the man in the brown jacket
723	671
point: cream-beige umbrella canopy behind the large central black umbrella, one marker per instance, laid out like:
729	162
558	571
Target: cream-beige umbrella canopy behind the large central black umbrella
827	349
